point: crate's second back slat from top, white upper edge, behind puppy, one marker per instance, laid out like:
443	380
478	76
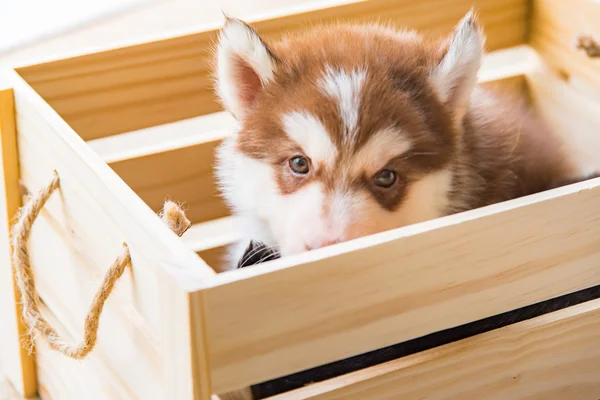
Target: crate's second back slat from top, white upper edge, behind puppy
177	160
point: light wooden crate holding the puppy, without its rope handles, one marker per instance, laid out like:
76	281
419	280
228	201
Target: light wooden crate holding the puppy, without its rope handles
128	127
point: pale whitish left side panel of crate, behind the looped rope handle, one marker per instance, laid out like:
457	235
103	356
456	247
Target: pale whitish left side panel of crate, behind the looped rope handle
81	230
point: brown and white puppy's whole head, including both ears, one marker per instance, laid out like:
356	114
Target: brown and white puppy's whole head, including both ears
344	130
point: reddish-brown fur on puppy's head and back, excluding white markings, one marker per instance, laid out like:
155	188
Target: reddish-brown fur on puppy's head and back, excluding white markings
500	153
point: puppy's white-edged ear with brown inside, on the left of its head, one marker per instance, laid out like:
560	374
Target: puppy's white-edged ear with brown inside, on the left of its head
245	65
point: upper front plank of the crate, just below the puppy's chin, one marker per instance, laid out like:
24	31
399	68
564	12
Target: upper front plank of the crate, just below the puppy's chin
372	292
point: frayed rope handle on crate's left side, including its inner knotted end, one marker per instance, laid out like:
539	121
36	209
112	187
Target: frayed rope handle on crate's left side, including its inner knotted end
36	324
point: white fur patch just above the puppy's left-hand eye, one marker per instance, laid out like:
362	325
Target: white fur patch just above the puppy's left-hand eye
310	134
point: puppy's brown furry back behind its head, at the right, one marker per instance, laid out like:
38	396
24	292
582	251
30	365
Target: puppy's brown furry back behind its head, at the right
505	153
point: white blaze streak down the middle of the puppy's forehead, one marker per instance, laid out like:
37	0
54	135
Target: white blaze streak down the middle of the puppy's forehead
345	88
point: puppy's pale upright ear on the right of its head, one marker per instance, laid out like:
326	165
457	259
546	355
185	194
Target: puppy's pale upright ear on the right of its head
455	77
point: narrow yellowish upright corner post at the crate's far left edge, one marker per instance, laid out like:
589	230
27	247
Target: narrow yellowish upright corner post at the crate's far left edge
17	363
